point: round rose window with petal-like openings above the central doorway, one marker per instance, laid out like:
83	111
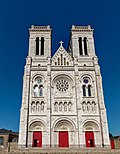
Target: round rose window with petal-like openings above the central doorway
62	85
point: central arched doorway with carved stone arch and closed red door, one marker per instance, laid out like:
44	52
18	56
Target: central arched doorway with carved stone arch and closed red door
65	130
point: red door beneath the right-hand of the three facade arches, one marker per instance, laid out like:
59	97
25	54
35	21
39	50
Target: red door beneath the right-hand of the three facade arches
89	136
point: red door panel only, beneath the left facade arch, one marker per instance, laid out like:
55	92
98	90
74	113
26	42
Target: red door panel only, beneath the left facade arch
37	139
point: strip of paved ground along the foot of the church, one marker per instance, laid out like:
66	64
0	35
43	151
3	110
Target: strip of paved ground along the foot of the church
64	151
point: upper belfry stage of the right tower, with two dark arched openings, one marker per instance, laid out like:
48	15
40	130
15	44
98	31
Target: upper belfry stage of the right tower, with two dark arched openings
81	42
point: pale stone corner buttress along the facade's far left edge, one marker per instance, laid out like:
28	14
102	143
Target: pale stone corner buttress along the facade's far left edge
23	131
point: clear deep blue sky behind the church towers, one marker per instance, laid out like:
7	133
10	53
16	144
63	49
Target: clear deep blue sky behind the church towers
15	19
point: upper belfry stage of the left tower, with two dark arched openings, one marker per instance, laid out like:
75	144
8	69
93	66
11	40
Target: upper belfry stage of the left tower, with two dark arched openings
40	42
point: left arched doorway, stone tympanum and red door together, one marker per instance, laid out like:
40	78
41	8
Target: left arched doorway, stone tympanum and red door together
37	129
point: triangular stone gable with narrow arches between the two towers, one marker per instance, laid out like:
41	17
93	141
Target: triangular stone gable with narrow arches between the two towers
62	58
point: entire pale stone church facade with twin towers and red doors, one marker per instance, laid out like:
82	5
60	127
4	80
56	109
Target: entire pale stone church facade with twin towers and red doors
62	99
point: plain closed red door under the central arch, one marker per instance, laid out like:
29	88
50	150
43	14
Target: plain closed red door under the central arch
63	139
